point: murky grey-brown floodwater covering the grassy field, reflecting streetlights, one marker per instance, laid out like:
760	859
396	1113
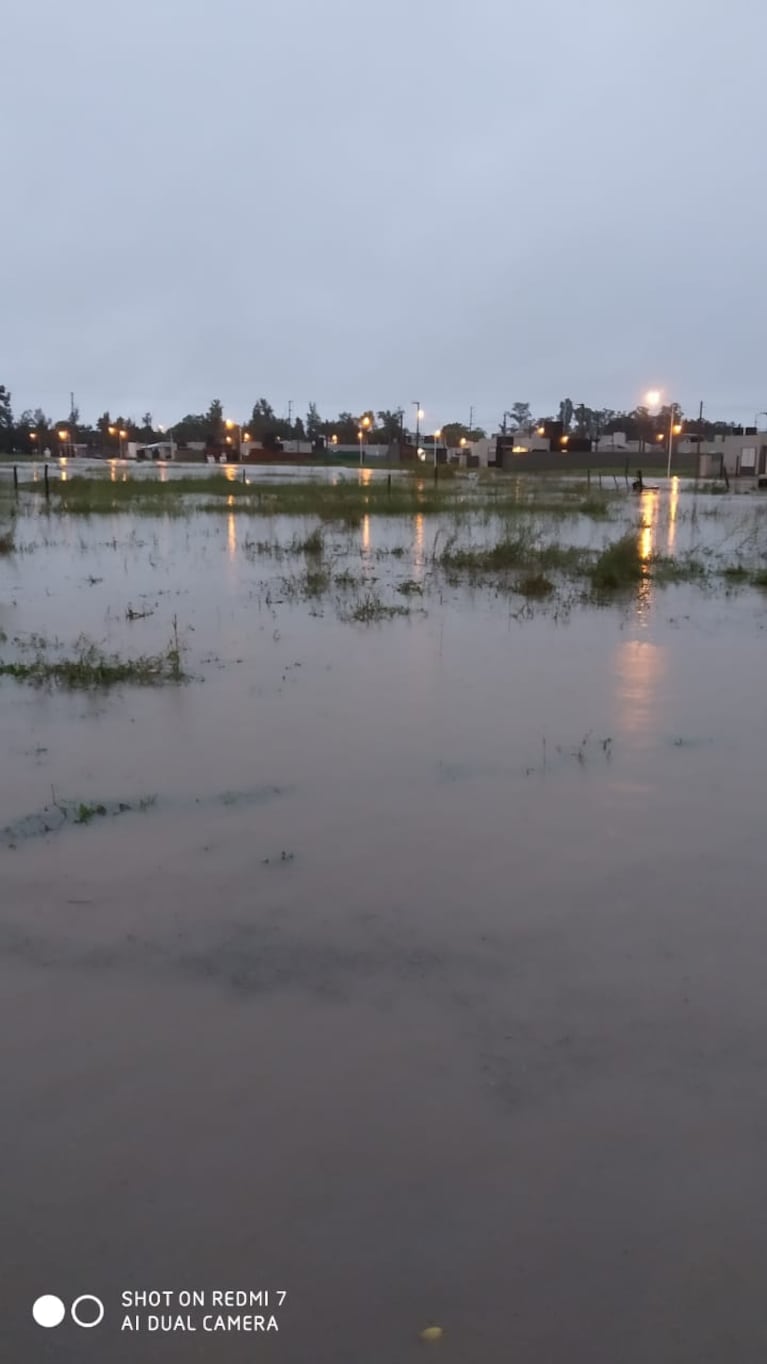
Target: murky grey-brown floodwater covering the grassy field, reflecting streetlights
431	985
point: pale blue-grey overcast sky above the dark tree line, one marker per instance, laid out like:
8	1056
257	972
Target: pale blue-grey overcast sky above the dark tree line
371	203
